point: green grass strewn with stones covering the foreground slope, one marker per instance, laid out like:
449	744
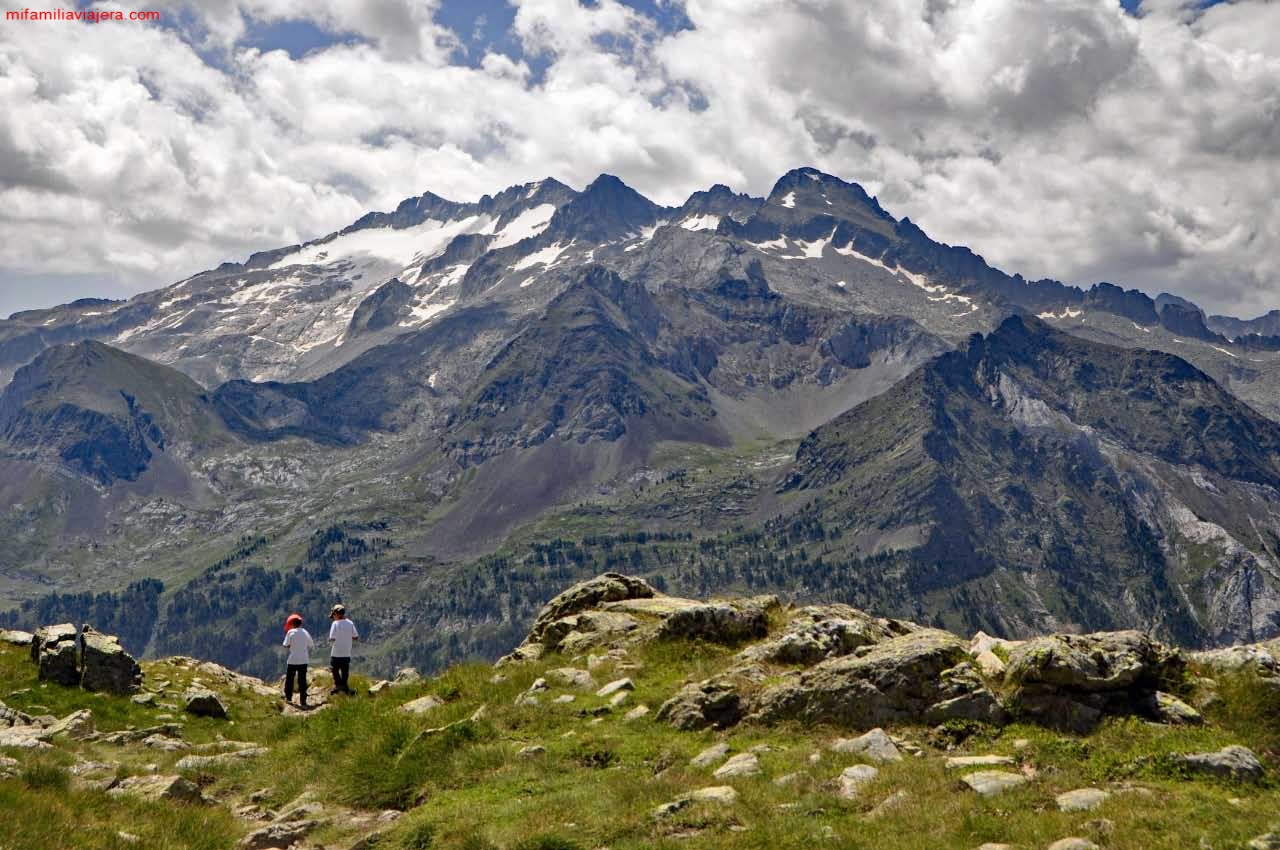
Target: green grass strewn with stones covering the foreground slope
464	785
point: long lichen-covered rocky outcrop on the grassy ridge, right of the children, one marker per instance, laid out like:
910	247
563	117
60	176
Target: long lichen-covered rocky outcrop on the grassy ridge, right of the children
839	666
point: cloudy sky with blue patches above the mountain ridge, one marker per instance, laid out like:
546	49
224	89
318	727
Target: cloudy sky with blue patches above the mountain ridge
1085	140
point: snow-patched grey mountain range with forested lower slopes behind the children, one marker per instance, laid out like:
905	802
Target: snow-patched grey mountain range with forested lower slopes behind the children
445	413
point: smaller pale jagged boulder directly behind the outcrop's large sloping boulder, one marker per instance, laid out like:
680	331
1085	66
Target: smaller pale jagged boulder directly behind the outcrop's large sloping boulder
817	633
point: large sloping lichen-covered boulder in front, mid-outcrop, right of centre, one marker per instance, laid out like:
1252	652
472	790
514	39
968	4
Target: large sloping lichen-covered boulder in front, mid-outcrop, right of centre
921	677
